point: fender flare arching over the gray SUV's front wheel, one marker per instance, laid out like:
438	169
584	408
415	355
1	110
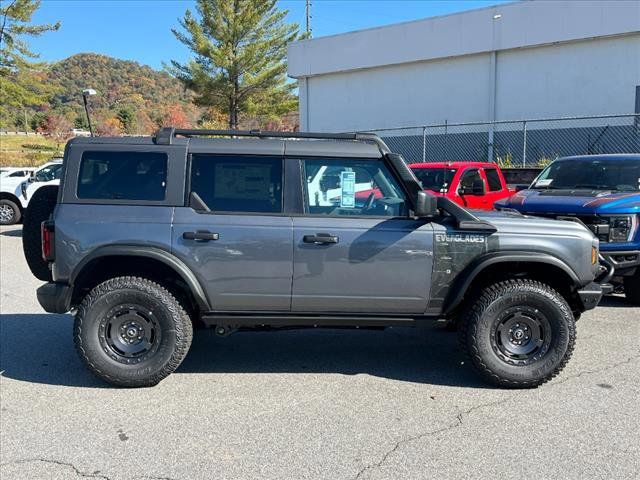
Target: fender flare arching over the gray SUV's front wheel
502	265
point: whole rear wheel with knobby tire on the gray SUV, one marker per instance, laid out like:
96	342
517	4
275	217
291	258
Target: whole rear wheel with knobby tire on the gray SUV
132	332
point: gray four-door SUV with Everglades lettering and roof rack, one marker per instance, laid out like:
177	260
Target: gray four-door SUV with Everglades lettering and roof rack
148	237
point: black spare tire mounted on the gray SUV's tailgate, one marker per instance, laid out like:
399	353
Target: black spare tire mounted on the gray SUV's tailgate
39	209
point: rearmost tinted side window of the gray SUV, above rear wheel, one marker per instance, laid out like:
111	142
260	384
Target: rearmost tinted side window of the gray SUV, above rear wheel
123	176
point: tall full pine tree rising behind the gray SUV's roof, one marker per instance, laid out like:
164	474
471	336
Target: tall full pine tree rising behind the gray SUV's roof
240	48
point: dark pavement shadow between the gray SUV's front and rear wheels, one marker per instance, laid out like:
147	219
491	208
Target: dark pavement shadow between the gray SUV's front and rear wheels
421	355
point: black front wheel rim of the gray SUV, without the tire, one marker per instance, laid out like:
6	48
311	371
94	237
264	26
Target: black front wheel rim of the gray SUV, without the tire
522	335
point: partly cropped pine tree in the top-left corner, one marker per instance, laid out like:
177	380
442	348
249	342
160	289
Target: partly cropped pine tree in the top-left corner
21	81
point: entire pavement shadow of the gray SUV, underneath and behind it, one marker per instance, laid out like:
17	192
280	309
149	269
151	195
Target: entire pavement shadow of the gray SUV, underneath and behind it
39	348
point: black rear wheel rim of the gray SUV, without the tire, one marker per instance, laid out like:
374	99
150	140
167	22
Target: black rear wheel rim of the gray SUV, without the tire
129	333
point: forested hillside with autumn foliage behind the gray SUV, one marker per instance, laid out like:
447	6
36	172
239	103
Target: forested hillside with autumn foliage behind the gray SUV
131	99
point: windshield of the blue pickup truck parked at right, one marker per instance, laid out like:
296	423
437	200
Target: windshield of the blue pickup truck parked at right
619	175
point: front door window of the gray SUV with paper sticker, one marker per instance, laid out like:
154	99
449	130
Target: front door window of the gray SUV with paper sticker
352	187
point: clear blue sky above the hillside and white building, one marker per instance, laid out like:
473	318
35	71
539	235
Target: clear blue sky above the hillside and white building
141	29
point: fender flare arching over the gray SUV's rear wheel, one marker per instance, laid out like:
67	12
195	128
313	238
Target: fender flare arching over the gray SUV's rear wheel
159	254
